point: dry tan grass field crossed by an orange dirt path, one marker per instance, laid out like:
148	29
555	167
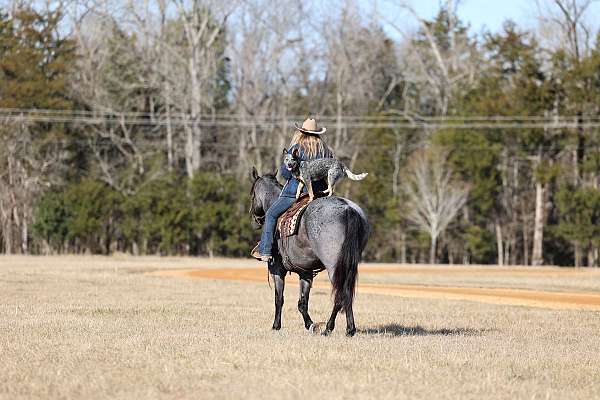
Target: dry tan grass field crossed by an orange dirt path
122	327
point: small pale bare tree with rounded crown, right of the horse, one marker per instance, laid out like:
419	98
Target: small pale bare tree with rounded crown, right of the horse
435	196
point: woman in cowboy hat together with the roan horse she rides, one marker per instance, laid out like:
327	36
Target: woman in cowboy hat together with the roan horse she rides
331	235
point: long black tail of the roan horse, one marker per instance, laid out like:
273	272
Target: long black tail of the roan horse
346	268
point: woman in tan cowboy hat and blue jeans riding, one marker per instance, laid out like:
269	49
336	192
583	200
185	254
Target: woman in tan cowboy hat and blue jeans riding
307	139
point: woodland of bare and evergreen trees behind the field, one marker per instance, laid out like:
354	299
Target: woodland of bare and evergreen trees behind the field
132	126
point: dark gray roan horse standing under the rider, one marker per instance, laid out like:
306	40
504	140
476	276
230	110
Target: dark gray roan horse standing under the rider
332	234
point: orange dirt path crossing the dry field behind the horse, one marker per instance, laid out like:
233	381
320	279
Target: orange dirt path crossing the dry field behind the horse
531	298
